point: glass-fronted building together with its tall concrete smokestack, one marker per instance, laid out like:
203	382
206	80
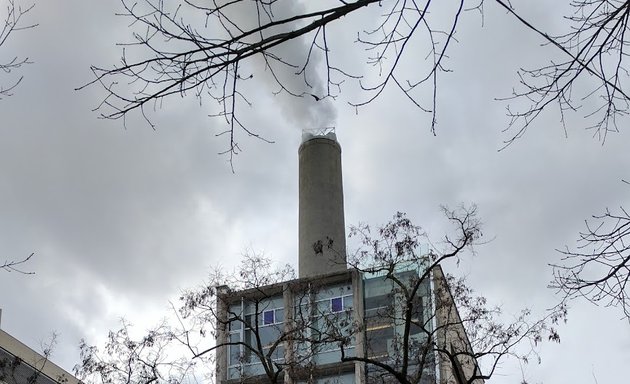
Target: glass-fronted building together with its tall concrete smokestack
336	324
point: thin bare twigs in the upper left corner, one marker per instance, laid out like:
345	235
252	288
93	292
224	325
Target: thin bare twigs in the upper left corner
12	23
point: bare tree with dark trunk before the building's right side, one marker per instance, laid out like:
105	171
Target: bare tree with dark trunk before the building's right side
424	317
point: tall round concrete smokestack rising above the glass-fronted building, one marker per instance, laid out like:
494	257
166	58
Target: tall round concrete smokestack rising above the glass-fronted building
322	232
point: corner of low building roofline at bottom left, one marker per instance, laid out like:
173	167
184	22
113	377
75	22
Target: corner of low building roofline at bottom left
19	364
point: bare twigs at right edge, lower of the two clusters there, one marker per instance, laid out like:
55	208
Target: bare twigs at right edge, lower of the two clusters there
599	268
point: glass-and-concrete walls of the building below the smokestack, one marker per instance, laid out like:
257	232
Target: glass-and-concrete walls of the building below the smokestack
324	298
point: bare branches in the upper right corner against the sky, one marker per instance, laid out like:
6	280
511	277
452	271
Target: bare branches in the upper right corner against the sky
593	72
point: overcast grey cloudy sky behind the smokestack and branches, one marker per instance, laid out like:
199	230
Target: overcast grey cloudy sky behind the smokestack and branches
122	218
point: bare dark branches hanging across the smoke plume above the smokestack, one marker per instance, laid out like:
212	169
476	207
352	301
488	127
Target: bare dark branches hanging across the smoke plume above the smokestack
176	52
